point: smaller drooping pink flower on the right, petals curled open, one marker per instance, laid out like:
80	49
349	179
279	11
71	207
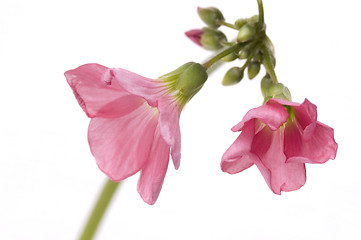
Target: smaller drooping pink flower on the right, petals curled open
279	138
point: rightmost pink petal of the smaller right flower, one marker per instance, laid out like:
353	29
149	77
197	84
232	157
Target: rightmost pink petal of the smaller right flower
319	148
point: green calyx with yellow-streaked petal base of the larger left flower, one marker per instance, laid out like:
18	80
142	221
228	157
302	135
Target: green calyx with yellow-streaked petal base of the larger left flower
185	81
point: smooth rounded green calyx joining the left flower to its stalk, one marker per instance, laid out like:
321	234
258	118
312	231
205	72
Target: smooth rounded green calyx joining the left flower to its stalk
191	79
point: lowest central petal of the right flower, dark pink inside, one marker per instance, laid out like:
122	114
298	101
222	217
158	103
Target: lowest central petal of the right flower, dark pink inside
279	175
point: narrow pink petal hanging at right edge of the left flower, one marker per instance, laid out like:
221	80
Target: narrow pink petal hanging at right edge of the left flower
169	113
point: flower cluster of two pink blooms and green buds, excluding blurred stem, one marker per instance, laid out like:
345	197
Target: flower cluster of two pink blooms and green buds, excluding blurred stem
134	123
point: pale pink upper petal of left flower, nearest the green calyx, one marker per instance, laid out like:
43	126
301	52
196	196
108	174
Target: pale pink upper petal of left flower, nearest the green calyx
147	88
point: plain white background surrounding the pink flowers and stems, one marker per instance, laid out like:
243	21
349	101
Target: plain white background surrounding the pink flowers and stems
49	179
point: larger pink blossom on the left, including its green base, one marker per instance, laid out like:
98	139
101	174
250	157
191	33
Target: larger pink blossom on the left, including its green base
134	120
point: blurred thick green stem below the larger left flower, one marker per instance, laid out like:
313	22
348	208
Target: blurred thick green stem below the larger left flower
99	210
